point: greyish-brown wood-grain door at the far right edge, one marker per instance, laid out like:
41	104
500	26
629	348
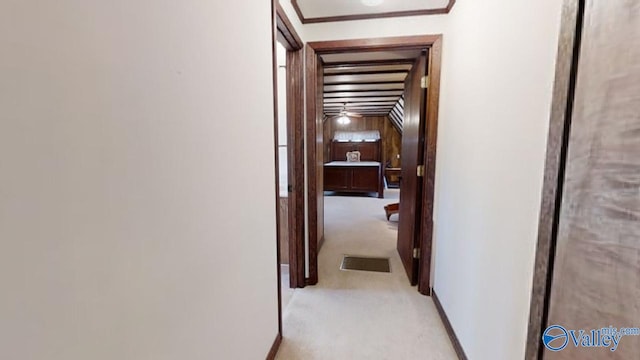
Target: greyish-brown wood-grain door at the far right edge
596	273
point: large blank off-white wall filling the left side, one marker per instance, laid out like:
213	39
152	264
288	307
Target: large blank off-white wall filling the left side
132	226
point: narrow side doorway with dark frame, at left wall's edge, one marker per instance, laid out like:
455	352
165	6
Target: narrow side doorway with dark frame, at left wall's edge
288	89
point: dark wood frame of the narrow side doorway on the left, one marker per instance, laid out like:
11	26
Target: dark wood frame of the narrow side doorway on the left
284	33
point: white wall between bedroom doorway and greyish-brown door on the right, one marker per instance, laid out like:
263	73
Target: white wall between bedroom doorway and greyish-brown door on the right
497	81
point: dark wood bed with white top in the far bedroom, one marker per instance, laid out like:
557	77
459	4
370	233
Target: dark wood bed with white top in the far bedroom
363	176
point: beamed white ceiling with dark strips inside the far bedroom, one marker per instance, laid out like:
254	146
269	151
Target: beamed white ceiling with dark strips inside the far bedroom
367	83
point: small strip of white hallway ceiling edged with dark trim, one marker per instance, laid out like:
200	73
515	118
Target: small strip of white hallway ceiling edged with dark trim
313	11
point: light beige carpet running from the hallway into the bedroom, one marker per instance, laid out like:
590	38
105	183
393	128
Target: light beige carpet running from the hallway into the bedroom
356	314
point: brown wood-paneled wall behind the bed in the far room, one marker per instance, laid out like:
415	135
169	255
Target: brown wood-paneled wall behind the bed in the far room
391	138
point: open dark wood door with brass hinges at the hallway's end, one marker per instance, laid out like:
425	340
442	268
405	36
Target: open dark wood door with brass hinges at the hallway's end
412	155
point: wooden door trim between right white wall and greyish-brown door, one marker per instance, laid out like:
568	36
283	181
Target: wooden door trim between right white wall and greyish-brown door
557	144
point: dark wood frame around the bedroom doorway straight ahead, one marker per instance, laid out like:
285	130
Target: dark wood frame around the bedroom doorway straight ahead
313	52
